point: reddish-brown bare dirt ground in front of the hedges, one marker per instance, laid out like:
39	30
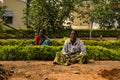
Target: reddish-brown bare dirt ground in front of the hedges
45	70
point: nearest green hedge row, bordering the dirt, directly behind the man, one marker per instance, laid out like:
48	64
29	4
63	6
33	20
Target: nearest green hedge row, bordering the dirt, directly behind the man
48	53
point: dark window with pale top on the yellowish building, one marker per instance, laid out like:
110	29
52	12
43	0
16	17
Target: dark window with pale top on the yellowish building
8	17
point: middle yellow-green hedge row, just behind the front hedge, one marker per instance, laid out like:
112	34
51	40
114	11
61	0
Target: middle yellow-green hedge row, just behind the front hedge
111	44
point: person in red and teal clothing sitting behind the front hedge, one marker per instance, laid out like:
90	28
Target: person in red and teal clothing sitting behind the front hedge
42	39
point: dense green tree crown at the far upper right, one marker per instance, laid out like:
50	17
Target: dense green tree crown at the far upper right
105	13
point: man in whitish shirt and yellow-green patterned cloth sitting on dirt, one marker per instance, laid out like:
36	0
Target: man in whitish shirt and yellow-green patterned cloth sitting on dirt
73	51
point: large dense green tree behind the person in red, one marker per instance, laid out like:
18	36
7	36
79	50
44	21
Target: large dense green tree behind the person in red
49	14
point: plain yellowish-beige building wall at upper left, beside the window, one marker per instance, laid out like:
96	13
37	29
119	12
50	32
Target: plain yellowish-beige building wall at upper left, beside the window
16	6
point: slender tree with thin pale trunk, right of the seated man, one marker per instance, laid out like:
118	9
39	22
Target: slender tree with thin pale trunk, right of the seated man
85	11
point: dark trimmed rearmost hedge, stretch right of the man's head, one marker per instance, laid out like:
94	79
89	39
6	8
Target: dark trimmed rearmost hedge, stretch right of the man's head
98	32
